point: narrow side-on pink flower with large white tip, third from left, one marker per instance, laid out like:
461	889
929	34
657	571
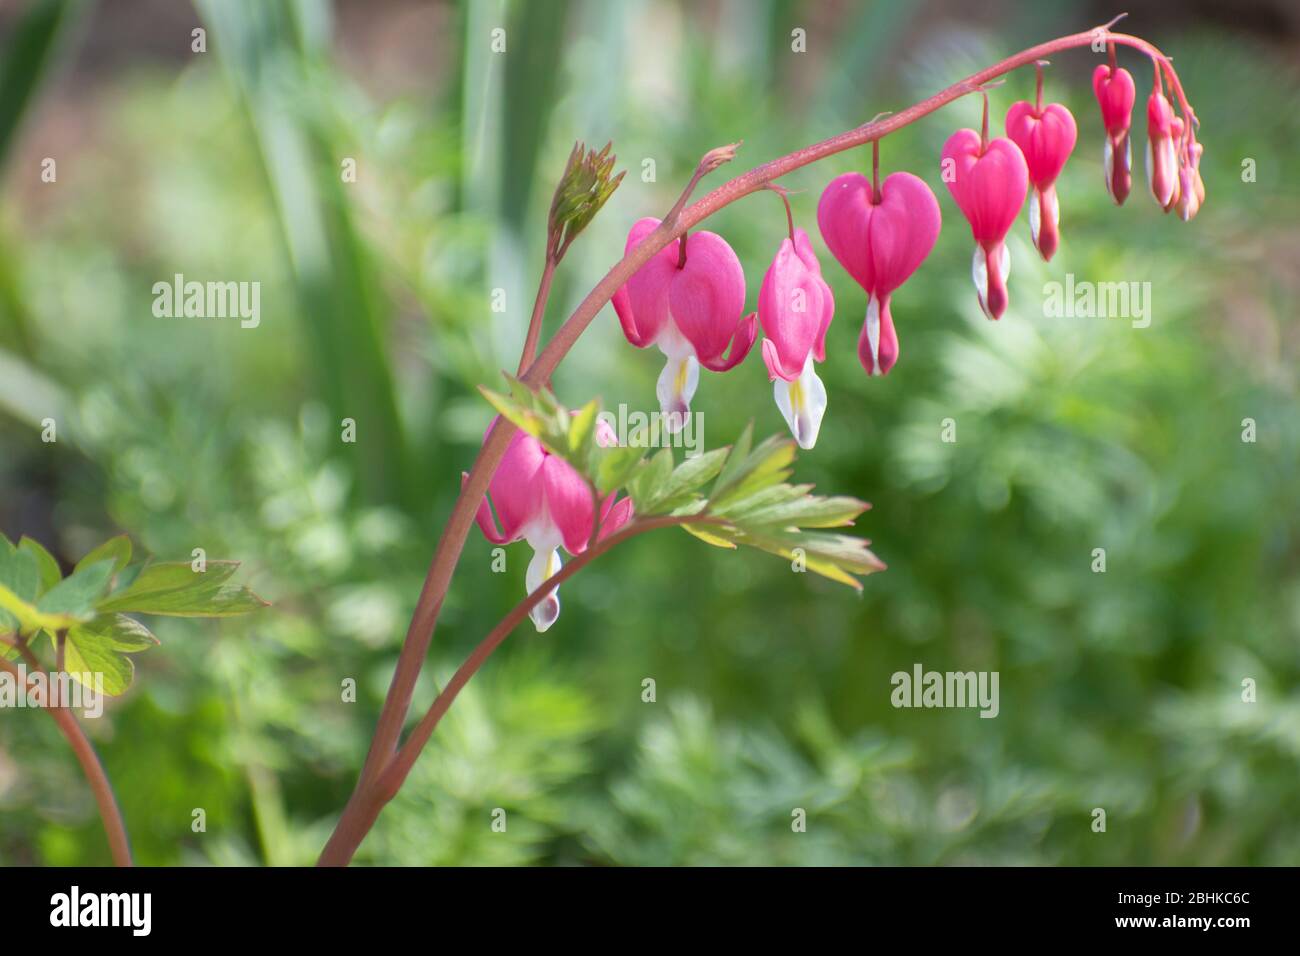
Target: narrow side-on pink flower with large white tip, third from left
795	309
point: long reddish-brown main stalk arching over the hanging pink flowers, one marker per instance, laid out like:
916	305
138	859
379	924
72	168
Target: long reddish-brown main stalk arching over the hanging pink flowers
384	747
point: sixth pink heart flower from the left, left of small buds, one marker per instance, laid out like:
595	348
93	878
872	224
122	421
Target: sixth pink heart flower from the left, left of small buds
1046	136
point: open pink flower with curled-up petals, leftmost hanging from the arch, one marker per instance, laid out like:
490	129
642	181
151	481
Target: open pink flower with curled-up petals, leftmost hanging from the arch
692	310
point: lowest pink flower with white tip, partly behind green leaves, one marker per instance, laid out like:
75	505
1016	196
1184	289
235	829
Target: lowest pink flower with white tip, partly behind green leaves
541	499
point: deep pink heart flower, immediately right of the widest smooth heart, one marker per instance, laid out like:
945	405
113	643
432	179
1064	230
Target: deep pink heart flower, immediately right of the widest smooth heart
989	181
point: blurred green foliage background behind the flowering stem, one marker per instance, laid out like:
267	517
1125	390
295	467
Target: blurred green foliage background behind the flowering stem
1119	690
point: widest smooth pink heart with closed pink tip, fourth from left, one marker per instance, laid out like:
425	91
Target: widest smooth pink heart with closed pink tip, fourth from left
879	239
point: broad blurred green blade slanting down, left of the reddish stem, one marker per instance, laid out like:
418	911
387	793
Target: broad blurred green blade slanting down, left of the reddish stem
278	59
